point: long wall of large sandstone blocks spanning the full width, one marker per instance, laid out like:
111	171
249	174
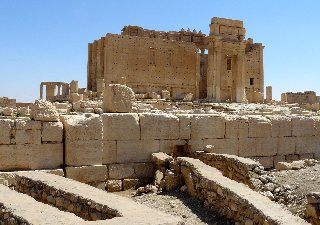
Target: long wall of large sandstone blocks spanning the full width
113	151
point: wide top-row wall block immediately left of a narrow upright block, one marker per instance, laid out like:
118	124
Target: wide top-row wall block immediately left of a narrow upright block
159	126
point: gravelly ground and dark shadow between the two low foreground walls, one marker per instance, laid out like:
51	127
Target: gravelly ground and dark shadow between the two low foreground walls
177	203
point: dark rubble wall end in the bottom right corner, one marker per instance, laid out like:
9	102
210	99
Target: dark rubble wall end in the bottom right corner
312	212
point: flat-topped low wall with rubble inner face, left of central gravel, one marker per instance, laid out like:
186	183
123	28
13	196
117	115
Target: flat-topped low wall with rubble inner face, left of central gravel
93	205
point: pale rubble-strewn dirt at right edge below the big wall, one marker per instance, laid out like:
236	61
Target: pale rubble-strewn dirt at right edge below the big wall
302	182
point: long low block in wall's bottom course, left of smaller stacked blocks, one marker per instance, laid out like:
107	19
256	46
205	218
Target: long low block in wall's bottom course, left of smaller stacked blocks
87	174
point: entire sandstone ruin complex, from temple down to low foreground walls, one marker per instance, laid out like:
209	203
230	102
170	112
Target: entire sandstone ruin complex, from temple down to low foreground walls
200	125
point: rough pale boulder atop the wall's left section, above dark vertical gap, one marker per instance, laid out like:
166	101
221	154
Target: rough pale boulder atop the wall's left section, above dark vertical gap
43	110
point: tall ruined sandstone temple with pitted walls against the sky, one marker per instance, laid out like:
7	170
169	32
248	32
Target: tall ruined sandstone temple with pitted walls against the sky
222	66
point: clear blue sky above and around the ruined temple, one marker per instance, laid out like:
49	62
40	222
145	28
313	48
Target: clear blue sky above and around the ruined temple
47	40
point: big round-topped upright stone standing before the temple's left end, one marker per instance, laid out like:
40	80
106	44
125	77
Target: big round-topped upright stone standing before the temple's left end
118	98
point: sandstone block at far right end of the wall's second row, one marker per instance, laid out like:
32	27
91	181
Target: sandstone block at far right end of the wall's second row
307	144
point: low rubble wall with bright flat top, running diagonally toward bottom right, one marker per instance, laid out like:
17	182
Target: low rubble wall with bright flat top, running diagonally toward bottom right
230	198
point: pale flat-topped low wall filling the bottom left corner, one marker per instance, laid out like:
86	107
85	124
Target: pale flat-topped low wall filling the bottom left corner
17	208
